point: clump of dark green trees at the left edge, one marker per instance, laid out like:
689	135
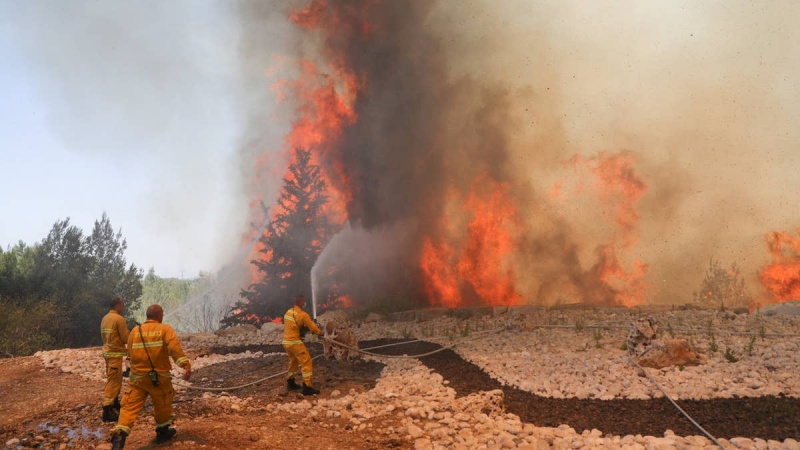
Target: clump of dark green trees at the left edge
54	292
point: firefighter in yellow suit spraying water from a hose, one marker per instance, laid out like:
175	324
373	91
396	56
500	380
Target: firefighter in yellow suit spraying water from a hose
297	351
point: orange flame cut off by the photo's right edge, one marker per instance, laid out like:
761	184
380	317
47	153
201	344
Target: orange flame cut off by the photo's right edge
782	277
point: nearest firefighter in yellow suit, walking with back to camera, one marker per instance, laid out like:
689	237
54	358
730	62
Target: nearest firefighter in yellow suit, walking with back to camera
150	346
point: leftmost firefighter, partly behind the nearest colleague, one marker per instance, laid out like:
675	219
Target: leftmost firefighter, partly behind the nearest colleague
114	332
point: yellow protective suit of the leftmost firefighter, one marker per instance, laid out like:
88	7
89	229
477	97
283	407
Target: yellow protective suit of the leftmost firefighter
114	332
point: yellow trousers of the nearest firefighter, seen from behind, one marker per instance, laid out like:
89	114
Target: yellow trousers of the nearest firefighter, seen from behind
133	401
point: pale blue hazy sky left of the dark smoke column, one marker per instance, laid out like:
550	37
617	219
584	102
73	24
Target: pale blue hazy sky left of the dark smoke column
127	108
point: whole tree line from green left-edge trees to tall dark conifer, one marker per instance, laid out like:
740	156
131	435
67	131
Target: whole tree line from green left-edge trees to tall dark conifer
54	293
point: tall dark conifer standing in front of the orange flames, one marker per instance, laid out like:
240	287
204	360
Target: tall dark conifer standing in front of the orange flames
289	245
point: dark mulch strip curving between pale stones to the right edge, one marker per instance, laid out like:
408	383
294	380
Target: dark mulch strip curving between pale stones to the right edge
763	417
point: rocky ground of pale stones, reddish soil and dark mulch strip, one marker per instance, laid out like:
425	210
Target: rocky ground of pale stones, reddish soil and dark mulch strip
523	378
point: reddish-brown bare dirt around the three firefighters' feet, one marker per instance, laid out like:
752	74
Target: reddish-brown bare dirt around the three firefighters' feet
51	410
